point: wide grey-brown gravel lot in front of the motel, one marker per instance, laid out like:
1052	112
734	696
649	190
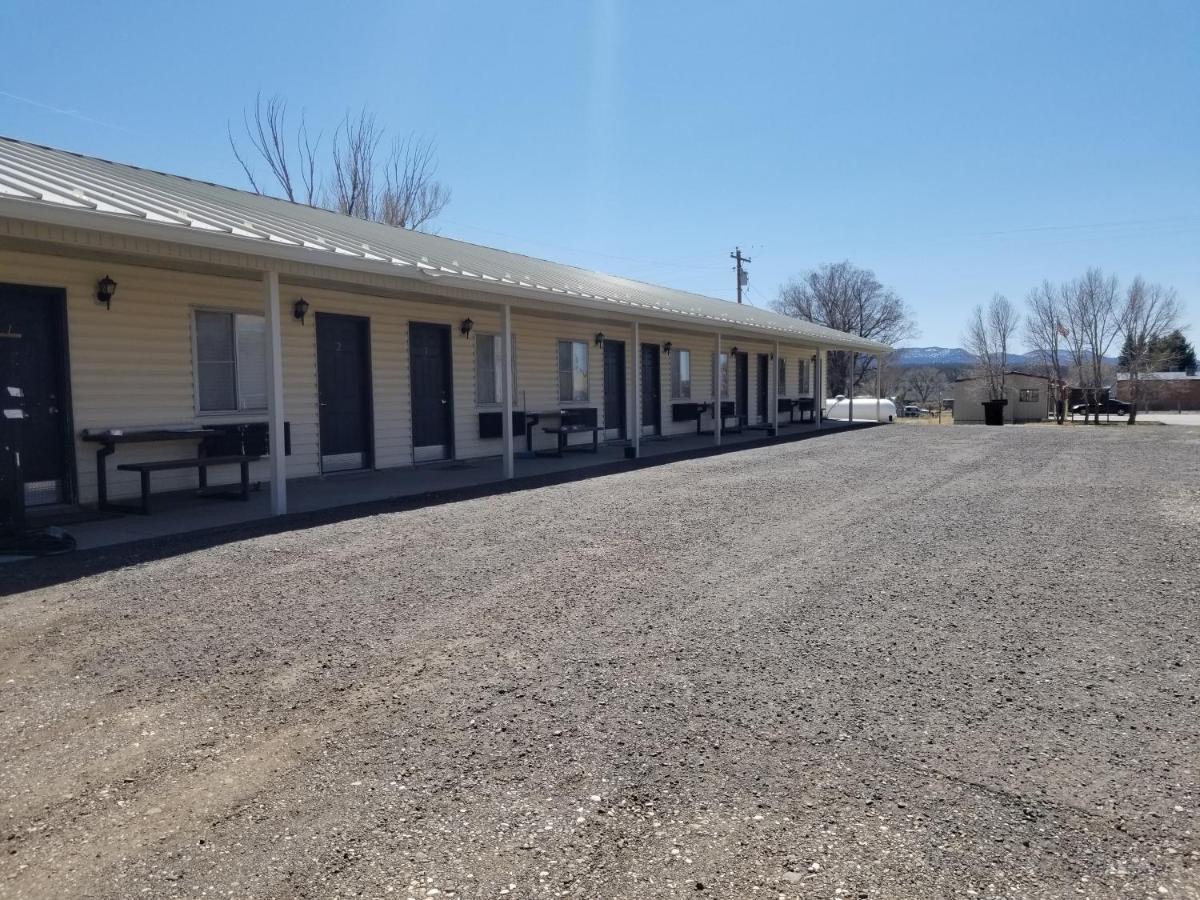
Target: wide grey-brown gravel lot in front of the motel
715	679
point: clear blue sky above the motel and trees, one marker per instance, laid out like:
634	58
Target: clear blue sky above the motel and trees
958	149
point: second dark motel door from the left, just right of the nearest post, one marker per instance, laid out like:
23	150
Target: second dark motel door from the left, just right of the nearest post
344	392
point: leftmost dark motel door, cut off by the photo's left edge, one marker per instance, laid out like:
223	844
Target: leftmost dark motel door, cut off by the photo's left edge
34	363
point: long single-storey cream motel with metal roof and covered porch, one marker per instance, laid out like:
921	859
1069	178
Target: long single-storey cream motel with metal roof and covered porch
149	322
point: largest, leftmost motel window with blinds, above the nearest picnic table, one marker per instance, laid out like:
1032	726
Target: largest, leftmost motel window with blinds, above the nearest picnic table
231	362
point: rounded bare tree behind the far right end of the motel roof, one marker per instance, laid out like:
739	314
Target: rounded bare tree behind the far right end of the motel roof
845	298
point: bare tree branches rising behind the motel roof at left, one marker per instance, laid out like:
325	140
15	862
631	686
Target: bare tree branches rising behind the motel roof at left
399	188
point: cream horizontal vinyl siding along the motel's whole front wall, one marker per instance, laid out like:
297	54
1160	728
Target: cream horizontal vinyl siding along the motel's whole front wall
133	367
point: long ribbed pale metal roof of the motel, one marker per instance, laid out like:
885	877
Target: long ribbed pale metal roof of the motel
46	184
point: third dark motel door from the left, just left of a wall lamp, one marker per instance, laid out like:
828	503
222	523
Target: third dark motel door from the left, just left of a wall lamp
433	380
